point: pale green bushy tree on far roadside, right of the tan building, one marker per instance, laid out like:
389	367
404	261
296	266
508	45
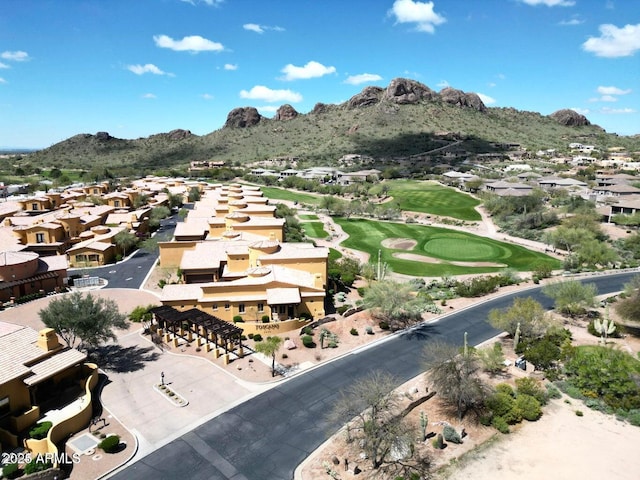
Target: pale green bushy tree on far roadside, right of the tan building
395	303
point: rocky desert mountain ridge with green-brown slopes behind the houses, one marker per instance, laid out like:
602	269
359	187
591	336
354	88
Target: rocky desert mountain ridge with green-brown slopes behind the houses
402	120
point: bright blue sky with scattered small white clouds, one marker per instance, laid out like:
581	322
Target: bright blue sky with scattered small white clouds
134	68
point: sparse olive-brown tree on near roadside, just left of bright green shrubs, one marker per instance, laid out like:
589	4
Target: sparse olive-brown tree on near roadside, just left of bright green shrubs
455	375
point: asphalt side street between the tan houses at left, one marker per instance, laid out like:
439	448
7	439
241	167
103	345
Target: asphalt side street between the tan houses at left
132	272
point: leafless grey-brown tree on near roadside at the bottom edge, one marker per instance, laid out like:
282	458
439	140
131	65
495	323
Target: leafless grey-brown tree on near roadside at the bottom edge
370	410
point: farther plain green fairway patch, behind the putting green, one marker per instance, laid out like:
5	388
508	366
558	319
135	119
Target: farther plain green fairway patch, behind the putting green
433	198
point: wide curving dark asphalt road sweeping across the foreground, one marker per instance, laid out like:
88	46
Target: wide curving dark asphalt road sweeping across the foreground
268	436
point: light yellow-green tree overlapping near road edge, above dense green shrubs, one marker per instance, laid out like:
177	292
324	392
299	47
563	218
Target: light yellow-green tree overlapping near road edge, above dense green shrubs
525	313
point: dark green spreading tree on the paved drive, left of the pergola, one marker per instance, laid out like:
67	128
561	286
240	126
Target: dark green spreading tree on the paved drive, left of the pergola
83	321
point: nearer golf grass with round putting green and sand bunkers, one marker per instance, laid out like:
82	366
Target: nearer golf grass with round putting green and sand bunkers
436	249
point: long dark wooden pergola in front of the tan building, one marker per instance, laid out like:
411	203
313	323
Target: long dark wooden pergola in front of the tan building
172	320
